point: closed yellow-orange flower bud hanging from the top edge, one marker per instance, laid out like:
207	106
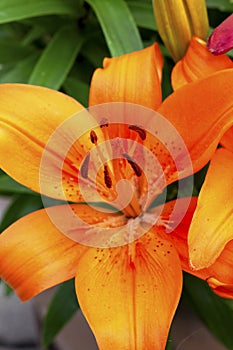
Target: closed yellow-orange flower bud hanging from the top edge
178	21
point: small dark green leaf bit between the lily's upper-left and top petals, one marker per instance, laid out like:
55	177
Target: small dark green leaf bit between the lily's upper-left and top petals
77	89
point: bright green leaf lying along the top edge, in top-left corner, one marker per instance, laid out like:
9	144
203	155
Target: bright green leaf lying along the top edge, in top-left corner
14	10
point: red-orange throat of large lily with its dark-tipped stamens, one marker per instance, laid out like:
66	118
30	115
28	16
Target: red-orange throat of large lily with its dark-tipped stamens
115	166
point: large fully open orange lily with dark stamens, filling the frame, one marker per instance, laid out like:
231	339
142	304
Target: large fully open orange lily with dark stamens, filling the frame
127	291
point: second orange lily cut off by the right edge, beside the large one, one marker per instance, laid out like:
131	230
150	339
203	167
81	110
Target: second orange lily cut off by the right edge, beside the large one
212	219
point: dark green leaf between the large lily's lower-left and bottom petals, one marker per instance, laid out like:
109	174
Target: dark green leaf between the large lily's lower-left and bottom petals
62	307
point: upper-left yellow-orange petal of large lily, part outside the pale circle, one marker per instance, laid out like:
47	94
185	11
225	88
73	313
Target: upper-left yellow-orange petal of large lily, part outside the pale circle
29	115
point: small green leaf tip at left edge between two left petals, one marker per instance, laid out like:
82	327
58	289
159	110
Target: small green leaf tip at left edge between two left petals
8	185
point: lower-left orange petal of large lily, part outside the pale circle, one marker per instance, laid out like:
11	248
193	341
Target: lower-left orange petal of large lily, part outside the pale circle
35	255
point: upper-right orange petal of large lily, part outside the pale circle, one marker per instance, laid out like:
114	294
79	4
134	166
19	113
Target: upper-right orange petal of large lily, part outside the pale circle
201	112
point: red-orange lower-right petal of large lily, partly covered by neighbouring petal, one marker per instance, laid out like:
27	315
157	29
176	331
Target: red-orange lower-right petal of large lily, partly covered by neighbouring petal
219	275
